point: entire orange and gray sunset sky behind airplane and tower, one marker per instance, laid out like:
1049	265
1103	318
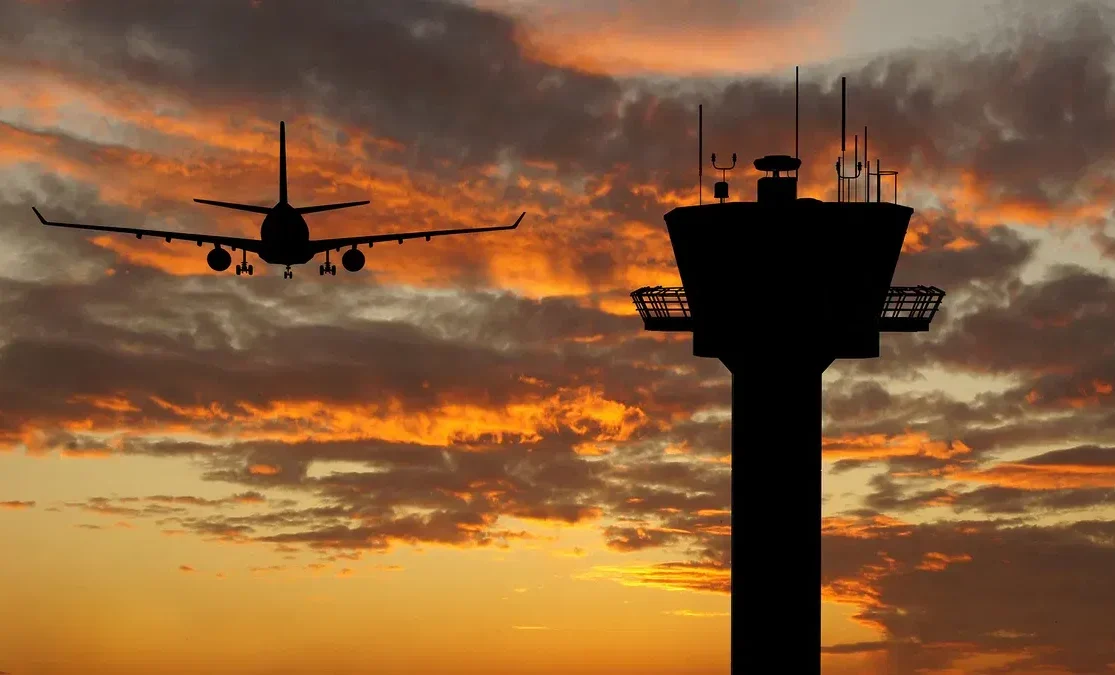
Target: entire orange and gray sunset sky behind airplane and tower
469	457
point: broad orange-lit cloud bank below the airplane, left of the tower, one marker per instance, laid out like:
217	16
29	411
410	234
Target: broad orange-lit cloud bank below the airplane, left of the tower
532	438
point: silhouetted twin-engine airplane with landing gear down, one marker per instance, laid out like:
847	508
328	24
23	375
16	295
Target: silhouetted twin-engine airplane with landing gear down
285	238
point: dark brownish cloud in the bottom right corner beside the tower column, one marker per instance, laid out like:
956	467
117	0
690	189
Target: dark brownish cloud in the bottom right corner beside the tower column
933	574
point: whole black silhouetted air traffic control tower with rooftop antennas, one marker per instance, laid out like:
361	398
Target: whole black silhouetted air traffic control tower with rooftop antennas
778	290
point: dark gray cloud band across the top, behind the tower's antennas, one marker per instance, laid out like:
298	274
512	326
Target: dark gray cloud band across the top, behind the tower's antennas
466	88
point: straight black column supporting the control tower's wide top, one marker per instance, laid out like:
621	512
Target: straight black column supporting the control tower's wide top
777	514
